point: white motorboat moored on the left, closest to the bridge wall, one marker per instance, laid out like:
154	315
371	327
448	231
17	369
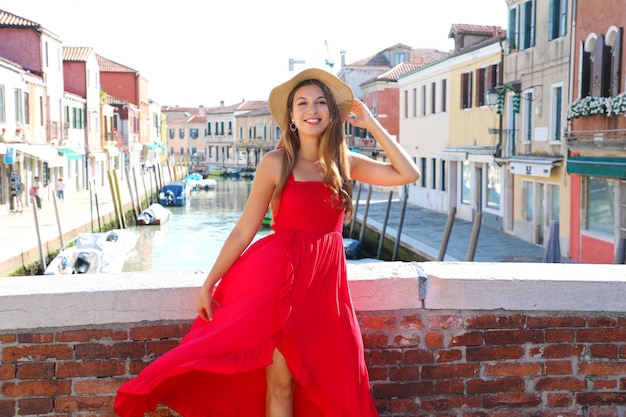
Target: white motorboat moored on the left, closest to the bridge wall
94	253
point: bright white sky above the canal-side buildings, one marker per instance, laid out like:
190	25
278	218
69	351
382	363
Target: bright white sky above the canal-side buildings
205	52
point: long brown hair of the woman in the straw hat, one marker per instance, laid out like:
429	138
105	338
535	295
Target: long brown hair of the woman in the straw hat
334	161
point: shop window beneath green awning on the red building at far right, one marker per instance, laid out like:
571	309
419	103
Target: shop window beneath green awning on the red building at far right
599	198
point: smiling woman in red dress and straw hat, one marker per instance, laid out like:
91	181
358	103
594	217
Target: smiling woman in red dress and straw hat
276	333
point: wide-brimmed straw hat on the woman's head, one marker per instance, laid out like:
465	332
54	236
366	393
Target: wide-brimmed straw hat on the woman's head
277	101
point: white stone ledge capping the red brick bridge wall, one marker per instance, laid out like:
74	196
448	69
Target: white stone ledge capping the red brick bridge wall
91	300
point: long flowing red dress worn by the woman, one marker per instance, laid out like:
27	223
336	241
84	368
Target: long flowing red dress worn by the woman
289	291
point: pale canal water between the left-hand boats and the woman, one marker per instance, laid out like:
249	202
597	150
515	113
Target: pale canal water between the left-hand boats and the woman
195	234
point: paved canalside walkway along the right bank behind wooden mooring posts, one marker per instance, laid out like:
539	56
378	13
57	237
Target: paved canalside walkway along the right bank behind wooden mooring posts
423	230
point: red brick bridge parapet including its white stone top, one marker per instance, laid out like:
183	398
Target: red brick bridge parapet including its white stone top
424	360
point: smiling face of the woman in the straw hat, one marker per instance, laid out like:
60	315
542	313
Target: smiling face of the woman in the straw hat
310	110
